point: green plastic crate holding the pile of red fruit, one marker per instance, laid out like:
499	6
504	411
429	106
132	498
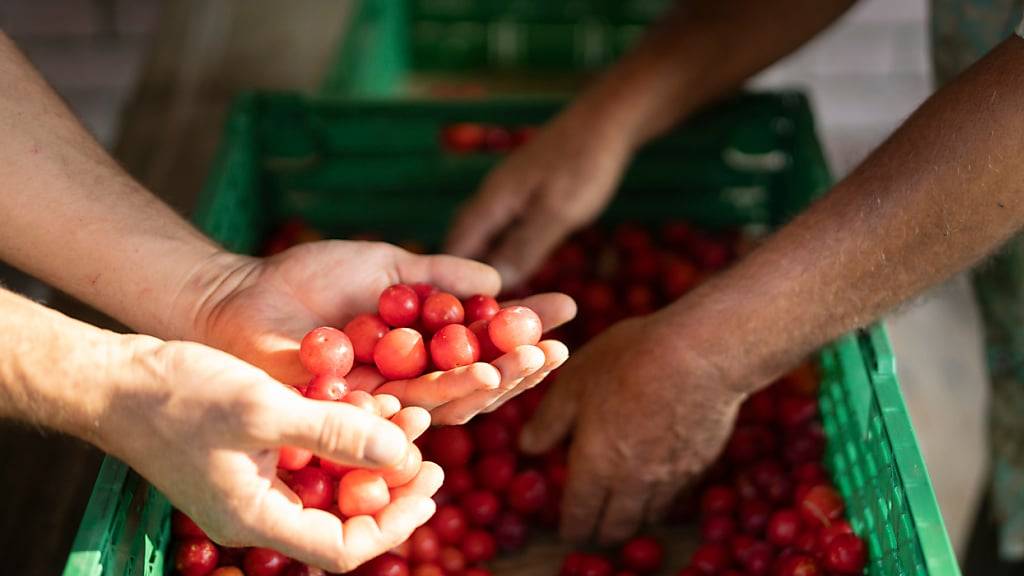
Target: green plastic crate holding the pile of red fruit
350	167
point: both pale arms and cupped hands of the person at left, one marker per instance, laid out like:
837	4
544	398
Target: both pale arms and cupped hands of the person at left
205	426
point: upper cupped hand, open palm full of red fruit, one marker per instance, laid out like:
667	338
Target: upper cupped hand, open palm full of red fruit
260	310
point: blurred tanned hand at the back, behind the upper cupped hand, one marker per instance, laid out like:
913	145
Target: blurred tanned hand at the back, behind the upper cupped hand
559	182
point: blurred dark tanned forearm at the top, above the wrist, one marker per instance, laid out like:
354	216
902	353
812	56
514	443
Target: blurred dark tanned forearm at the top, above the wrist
702	51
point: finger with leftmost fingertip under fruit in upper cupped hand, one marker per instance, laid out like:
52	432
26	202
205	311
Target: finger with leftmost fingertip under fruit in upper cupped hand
432	391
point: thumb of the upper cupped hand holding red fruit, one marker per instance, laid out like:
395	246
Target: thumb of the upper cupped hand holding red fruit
450	274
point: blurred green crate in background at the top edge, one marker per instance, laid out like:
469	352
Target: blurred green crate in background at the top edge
520	46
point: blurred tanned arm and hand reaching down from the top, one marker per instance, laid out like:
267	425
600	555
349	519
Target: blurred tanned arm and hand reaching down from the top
565	177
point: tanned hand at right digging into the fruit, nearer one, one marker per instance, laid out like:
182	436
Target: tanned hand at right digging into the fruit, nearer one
646	419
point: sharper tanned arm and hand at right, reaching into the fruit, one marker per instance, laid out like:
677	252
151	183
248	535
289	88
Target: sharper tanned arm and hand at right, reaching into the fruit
657	397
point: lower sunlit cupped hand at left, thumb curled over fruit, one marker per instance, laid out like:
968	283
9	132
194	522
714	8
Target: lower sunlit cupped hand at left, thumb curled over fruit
206	428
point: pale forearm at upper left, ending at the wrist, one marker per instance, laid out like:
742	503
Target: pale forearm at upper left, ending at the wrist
74	219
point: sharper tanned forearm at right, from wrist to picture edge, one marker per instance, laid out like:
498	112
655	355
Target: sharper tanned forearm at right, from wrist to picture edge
943	193
